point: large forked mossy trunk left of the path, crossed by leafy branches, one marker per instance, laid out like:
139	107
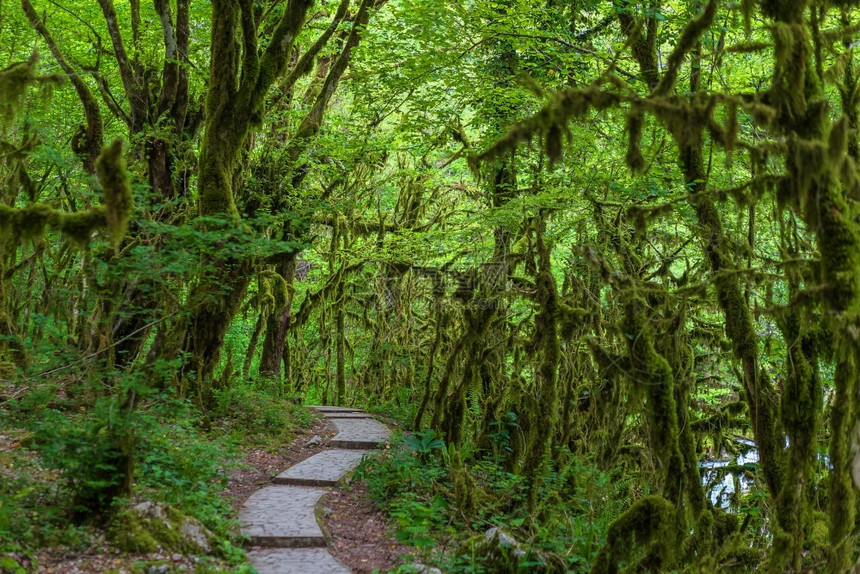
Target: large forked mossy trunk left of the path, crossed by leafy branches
240	77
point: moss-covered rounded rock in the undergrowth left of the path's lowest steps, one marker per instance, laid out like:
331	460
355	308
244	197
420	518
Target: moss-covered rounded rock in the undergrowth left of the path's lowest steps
152	527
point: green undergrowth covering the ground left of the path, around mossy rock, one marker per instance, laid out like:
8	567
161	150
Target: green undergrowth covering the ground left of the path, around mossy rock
65	465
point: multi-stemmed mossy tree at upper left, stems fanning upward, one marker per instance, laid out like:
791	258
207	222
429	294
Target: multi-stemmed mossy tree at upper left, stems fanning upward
131	304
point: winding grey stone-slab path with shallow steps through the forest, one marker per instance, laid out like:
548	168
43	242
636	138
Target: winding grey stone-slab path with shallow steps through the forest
280	518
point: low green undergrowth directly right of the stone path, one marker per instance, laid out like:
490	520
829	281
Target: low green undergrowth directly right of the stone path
412	482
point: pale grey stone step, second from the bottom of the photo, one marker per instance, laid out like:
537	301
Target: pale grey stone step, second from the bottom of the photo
282	517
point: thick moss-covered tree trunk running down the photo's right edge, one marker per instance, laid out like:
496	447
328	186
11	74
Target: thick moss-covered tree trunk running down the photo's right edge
819	190
